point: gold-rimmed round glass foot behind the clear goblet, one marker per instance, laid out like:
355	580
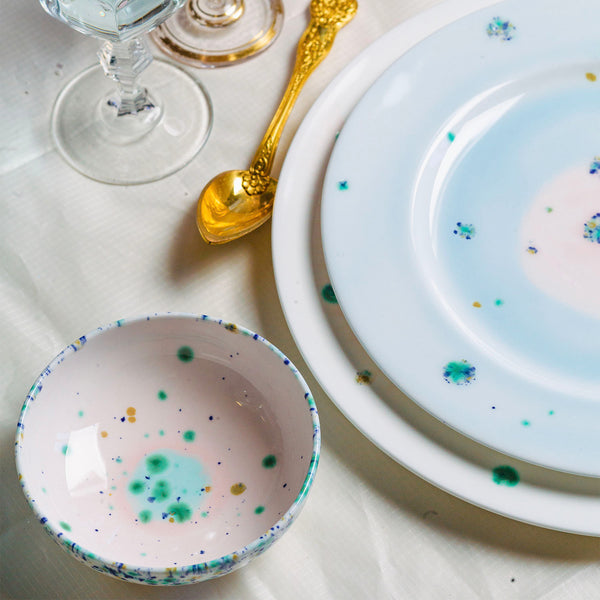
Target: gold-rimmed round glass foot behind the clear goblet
216	34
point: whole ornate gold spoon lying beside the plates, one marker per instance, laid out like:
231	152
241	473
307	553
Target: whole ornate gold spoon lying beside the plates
235	203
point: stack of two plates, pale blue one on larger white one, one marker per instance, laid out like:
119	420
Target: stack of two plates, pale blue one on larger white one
453	204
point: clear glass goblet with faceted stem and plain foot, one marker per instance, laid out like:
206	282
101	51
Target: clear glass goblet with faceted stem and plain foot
130	119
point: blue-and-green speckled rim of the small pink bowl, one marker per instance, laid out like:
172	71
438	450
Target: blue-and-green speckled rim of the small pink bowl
227	561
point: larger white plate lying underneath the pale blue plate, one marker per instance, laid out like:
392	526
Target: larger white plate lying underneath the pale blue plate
379	409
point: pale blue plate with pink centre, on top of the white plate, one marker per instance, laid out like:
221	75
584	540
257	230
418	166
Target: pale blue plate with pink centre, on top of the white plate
461	228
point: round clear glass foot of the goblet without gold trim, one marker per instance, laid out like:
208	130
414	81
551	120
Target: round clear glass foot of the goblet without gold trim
127	149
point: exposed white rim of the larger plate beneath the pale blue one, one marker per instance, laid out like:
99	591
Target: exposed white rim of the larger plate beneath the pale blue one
544	498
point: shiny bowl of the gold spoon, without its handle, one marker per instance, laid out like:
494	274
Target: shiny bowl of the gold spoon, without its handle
227	211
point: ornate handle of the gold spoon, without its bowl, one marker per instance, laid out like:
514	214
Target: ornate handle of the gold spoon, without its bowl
327	17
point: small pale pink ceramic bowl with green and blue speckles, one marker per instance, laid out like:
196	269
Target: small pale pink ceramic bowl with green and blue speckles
168	449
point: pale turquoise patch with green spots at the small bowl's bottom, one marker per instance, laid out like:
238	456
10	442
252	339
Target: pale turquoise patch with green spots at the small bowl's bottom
167	486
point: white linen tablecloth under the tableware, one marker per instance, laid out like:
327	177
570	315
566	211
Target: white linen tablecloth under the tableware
76	254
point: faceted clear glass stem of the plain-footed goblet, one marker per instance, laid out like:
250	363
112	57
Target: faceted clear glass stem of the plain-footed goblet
123	62
